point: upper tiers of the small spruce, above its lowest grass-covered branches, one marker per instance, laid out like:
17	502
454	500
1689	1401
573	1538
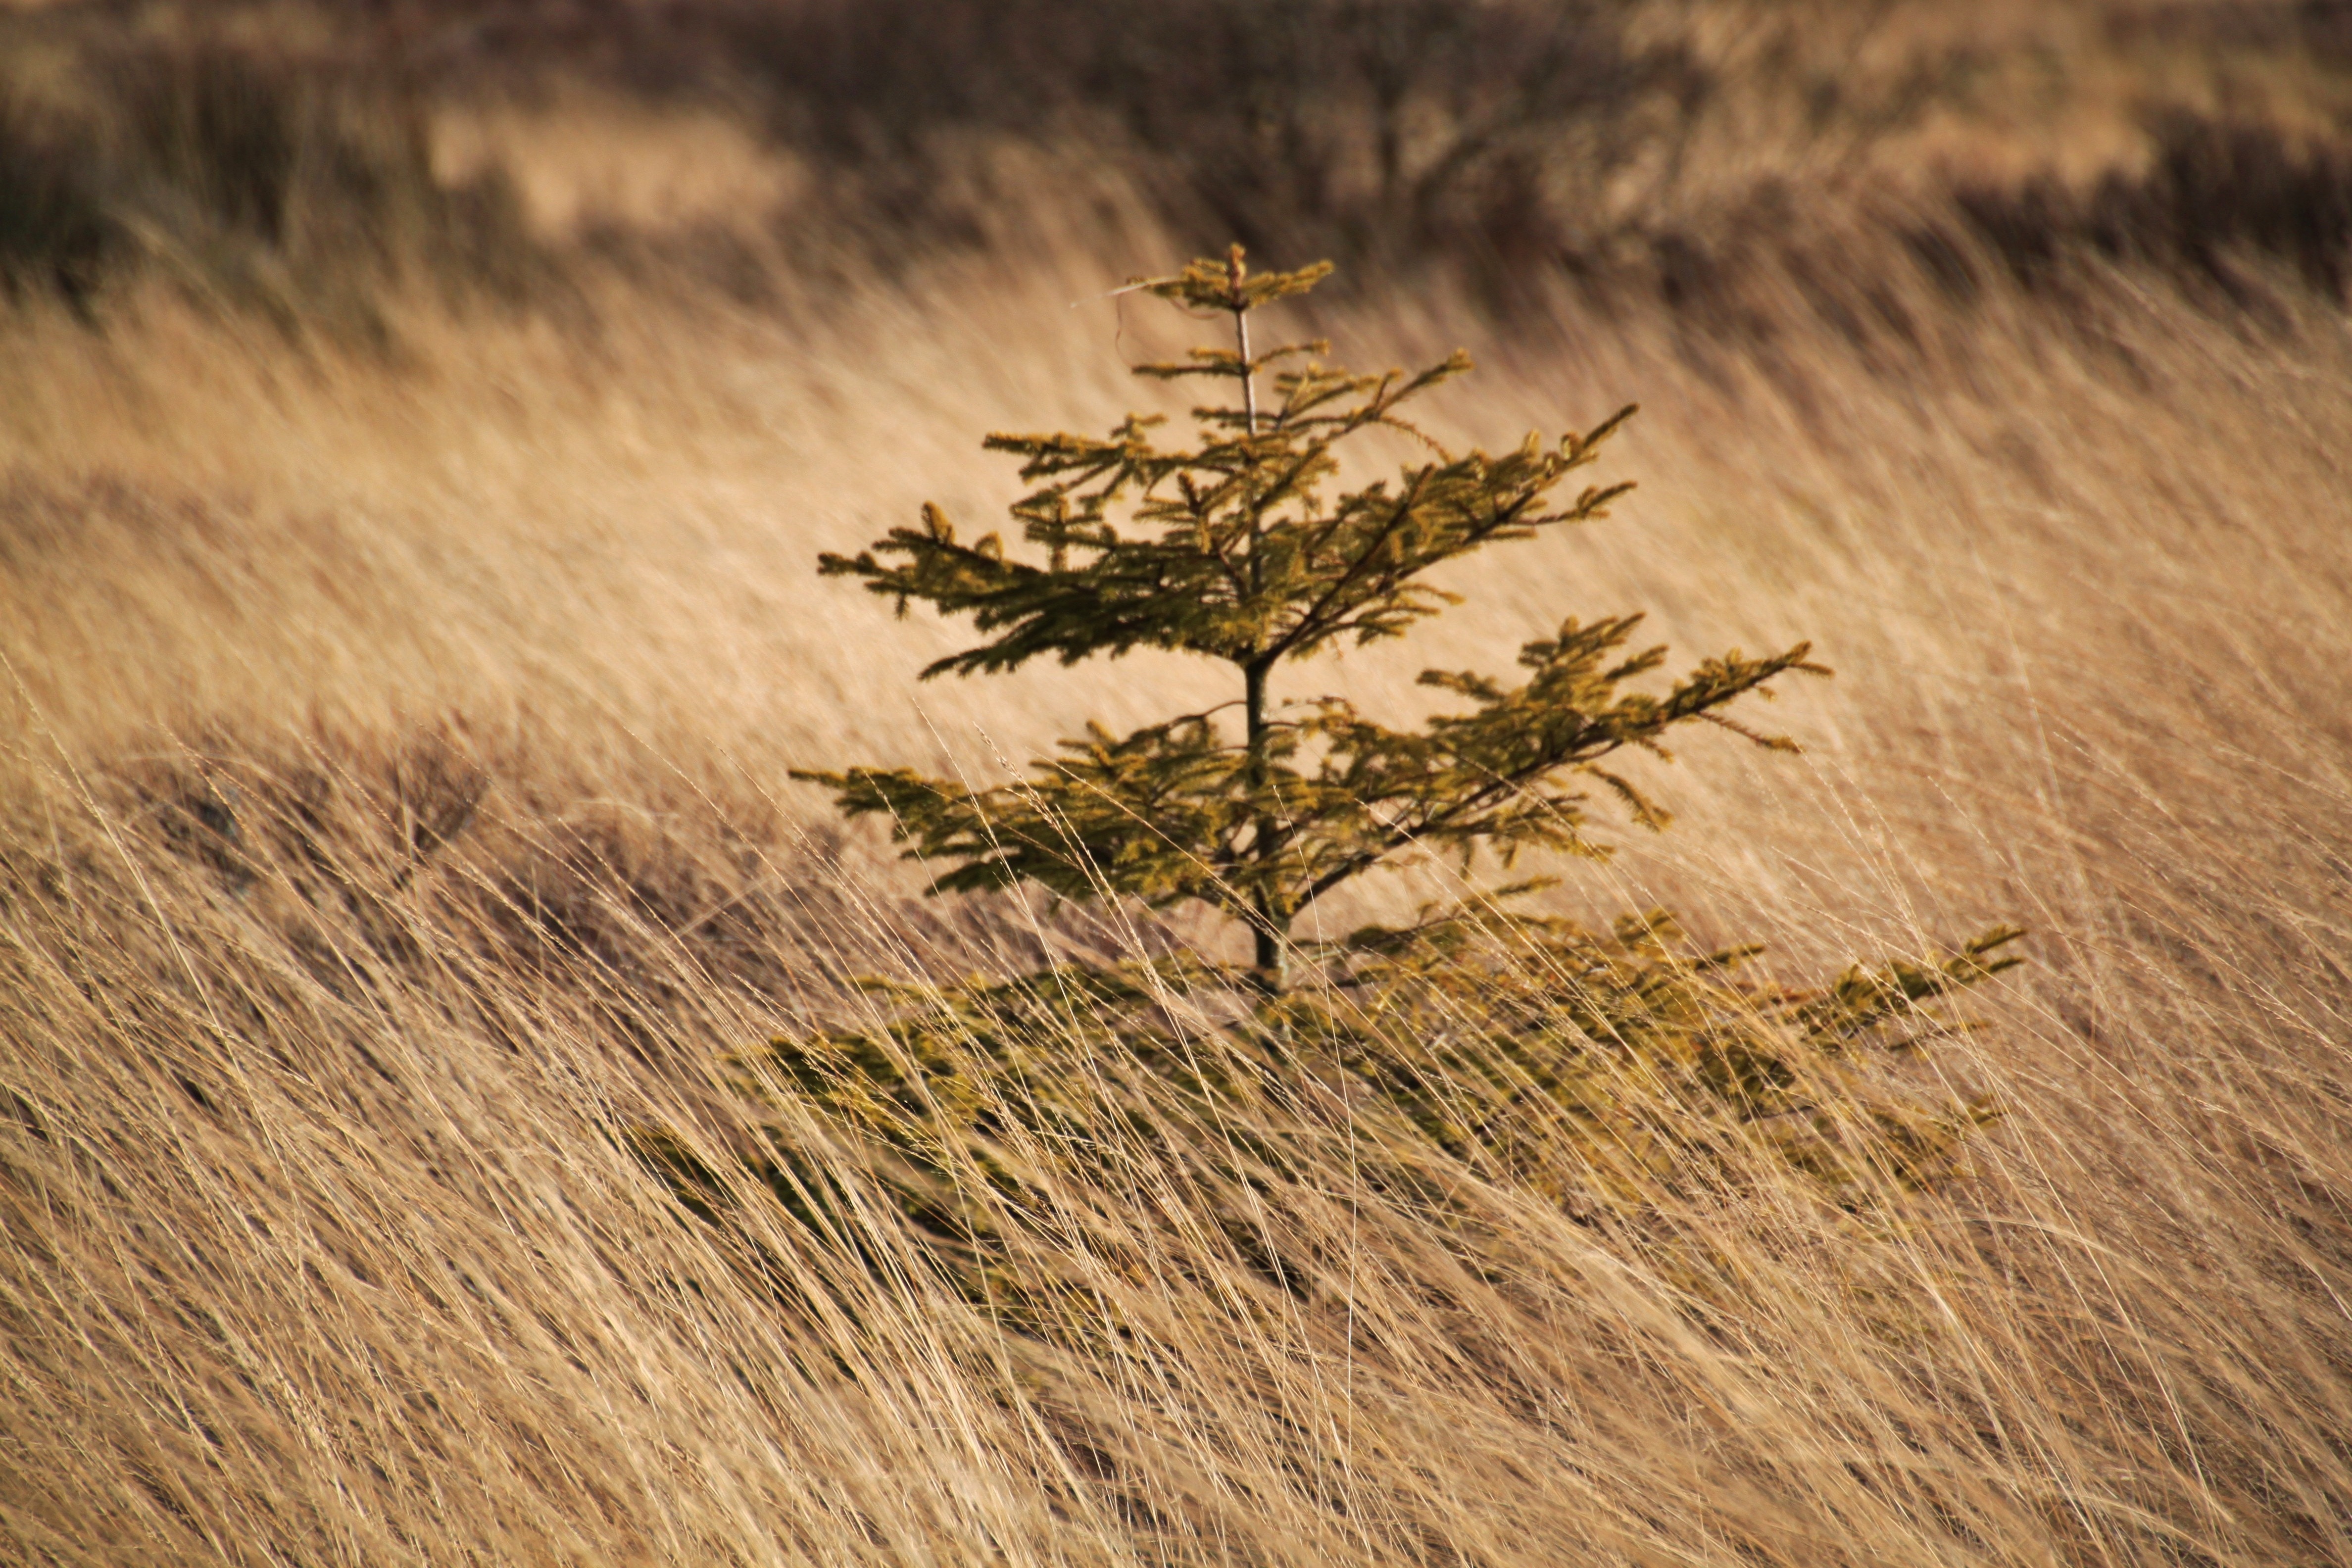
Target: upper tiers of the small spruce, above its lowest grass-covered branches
1231	549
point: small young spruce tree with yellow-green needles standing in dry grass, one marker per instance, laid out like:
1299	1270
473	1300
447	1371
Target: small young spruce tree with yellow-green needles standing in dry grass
1608	1071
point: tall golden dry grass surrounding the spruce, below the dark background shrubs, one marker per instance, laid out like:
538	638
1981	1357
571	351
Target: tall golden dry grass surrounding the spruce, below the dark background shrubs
394	824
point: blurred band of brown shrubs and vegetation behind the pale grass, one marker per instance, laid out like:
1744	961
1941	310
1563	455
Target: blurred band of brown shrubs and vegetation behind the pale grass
1638	149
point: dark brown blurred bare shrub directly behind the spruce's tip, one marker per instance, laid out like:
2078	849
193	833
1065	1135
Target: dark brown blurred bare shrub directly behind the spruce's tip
1382	128
